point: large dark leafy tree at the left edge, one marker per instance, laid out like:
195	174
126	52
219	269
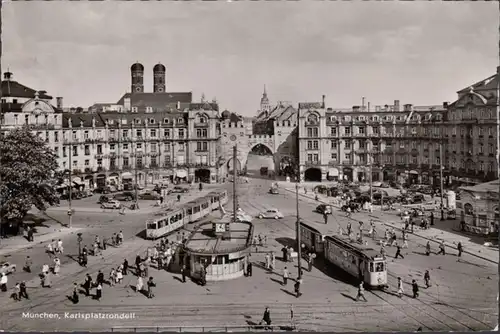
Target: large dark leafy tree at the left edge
27	168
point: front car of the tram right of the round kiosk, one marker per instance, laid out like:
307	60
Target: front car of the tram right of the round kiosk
357	260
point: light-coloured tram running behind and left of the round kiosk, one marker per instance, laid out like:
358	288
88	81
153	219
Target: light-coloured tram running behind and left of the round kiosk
187	213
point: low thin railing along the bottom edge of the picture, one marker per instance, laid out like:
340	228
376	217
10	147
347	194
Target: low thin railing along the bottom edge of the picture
227	329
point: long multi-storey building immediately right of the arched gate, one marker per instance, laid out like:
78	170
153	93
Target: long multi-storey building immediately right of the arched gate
395	143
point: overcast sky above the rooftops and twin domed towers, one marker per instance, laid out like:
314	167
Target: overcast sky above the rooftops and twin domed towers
418	52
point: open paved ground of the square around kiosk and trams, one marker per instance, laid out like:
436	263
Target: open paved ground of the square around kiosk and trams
462	296
